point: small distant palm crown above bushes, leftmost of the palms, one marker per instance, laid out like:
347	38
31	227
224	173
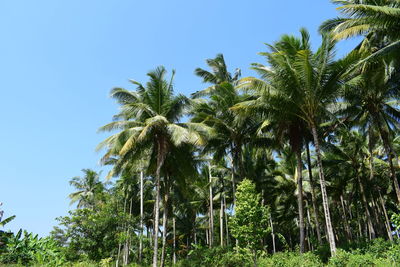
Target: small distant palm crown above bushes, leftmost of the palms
88	188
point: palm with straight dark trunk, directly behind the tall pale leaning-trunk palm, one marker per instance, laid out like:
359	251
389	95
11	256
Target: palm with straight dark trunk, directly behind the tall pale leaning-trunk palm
280	115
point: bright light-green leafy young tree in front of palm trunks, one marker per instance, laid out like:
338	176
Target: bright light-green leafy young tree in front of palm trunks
250	222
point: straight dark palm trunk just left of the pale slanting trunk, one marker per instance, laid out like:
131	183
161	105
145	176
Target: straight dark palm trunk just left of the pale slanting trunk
300	198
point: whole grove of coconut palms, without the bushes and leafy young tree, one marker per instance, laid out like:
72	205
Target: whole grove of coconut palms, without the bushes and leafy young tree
317	135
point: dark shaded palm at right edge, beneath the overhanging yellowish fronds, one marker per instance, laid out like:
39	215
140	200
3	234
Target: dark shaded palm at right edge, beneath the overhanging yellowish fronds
370	102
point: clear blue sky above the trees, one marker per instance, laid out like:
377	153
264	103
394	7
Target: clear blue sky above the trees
59	60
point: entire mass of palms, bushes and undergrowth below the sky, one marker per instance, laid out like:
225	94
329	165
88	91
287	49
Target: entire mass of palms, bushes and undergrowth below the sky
295	167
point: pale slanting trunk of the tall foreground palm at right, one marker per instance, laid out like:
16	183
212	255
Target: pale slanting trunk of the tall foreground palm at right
328	222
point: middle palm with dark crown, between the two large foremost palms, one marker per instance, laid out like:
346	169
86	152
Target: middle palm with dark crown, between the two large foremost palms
231	130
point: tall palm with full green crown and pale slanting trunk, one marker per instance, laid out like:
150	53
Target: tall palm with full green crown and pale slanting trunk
315	80
